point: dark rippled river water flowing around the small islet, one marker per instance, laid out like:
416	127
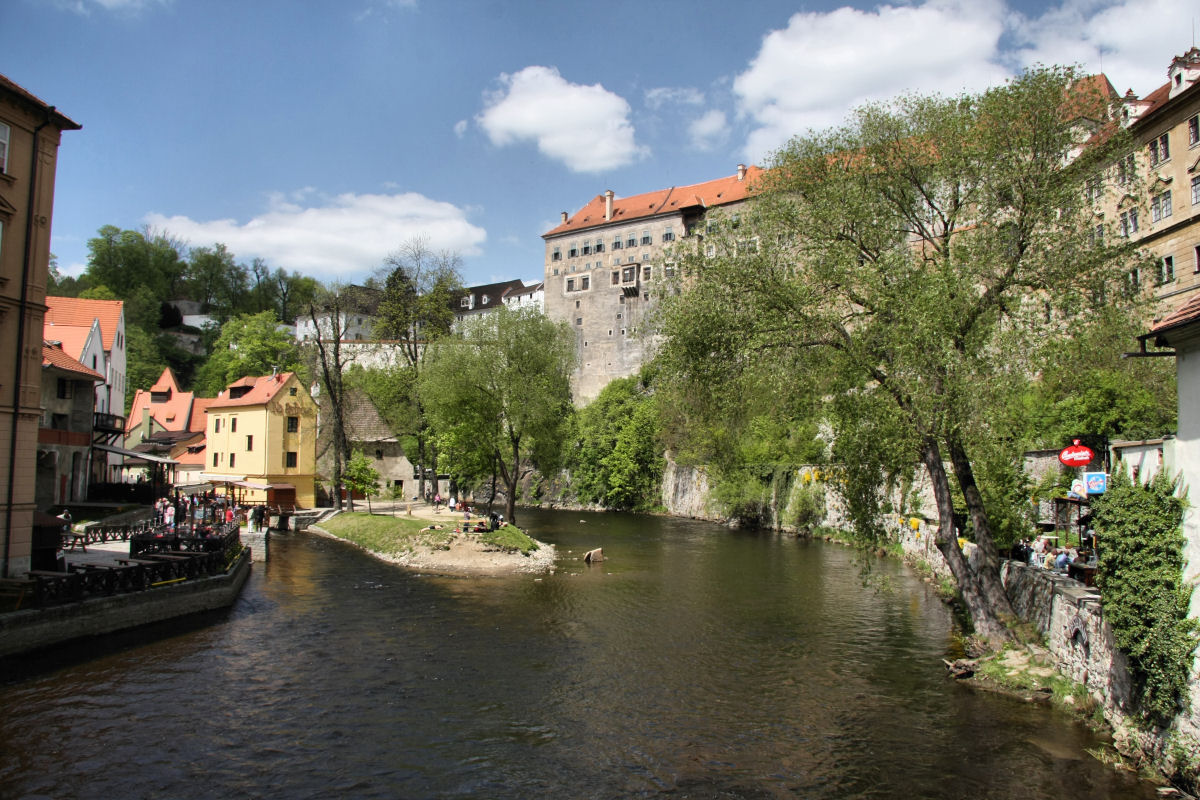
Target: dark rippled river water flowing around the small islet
694	663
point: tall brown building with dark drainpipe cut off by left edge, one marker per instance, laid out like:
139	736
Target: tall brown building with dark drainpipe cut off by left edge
31	131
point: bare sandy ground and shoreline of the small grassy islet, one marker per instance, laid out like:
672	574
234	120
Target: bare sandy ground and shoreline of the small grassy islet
467	555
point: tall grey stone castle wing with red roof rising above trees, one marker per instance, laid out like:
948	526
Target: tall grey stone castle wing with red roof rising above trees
609	262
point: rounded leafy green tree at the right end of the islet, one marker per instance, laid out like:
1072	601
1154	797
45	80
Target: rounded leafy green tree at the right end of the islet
505	386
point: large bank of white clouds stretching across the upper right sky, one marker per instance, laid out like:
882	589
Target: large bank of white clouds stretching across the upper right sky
811	75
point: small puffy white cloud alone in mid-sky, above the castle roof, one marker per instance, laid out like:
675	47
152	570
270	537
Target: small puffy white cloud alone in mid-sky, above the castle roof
586	128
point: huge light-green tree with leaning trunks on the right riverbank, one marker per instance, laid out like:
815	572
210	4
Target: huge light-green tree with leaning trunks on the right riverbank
919	254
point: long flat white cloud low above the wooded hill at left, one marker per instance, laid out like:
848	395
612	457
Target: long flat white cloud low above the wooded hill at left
340	238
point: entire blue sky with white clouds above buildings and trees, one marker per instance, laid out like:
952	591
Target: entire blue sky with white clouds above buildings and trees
321	136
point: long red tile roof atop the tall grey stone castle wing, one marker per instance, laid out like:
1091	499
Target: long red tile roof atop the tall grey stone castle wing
639	207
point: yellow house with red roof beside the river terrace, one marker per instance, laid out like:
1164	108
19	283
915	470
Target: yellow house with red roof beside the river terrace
262	441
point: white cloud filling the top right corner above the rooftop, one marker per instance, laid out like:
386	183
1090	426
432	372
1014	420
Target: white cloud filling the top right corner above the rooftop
1132	41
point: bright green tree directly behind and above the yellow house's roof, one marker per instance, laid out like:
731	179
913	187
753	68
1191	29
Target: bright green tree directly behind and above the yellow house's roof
251	345
